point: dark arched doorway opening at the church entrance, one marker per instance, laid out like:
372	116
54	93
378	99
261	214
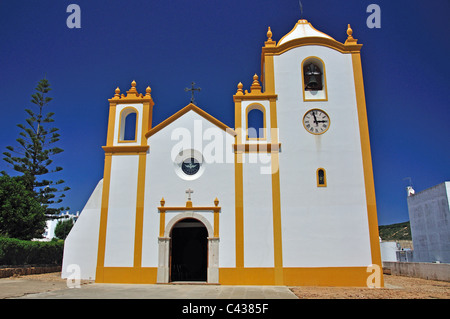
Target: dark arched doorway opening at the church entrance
189	251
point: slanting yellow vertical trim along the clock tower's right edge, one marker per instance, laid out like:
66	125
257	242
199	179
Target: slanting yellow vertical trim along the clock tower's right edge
367	161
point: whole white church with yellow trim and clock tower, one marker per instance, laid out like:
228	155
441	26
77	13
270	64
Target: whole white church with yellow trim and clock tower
286	197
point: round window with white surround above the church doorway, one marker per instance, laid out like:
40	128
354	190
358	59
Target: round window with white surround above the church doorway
189	164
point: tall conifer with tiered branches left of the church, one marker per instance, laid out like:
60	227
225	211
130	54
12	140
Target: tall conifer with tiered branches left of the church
33	155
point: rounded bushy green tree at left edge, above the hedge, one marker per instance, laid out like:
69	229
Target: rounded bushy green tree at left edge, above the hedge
21	215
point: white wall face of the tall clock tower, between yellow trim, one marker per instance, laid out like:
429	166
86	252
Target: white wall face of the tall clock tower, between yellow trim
322	226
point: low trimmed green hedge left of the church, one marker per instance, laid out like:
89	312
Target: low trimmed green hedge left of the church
20	252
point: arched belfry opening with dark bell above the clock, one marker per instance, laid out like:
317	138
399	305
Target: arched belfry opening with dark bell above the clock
314	79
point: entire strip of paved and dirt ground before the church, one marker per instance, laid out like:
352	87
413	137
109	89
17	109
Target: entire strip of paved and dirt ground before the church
51	286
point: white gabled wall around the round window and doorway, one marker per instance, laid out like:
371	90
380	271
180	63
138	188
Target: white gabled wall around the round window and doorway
162	180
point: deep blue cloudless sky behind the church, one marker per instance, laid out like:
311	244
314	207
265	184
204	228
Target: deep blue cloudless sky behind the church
217	44
